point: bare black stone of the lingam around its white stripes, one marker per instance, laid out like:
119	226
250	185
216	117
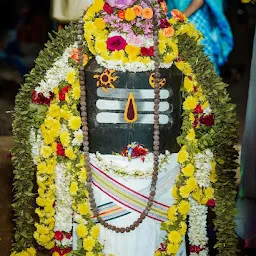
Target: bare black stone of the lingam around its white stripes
108	138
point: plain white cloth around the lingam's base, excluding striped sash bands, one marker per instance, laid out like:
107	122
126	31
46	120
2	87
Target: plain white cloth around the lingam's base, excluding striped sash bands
144	240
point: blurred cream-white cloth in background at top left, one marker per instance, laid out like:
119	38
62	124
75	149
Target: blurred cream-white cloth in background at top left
69	10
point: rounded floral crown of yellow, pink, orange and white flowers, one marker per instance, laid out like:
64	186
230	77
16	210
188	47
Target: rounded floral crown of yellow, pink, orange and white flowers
120	33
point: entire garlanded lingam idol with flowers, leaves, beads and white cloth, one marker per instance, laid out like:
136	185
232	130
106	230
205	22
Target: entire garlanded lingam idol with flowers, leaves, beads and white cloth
129	134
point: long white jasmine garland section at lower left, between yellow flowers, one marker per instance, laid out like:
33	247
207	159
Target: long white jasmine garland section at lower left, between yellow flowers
63	207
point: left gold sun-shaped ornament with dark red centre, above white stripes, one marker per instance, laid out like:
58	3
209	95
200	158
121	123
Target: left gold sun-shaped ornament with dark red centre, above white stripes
106	79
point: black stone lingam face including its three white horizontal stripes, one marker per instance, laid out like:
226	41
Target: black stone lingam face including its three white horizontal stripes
109	132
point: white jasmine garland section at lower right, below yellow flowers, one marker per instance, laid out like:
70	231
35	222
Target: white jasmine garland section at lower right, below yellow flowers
197	232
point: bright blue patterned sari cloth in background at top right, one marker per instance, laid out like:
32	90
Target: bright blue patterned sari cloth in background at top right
211	21
